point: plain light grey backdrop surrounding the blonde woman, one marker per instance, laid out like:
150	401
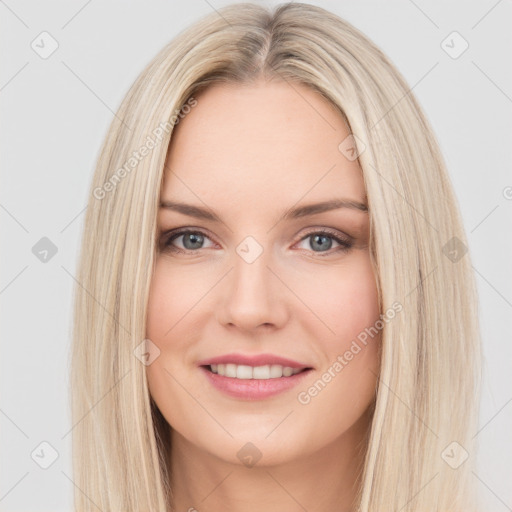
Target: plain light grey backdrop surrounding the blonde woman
55	113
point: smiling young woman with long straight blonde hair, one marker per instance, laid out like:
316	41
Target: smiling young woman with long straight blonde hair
277	308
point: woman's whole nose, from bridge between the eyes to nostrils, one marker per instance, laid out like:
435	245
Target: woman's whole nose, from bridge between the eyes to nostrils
254	295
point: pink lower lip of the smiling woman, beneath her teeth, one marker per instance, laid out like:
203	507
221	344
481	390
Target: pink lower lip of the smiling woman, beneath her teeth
253	389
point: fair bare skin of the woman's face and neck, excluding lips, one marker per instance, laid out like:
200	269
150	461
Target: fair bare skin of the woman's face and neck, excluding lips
250	153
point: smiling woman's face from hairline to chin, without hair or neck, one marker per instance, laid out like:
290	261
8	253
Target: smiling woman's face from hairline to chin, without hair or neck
256	279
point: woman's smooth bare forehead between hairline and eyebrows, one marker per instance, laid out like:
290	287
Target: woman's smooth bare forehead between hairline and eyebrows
272	142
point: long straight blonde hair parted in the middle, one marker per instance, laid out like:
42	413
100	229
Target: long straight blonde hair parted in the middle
427	398
